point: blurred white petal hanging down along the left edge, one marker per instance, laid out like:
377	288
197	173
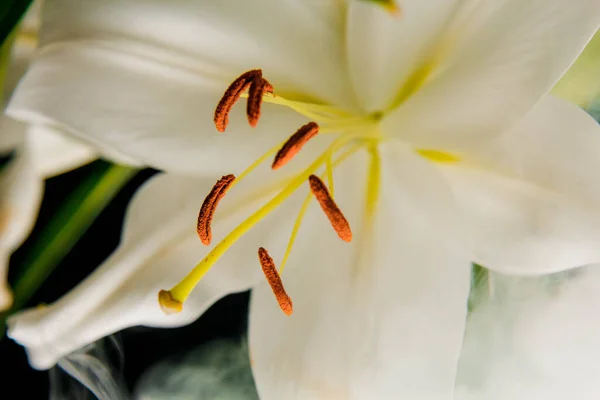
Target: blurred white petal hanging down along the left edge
20	195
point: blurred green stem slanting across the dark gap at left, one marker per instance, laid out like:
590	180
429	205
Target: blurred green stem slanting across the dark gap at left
66	227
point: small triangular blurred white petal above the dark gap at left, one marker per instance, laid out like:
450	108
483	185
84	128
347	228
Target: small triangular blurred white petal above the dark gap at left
54	152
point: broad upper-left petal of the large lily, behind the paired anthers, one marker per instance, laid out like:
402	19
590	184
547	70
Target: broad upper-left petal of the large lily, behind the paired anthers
143	78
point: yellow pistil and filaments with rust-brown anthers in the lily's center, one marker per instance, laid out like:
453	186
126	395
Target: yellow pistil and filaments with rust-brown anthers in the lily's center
353	134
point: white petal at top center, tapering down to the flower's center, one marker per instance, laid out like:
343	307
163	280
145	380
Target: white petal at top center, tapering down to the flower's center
384	49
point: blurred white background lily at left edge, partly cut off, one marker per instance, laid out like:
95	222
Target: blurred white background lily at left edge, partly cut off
39	152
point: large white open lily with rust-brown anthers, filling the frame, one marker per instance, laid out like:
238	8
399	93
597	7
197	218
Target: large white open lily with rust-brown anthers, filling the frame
435	126
